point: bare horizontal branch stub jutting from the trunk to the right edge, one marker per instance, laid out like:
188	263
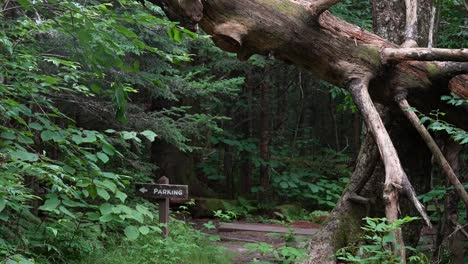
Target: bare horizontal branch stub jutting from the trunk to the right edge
424	54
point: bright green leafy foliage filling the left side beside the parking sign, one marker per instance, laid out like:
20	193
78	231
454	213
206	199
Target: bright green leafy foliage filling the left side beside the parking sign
67	68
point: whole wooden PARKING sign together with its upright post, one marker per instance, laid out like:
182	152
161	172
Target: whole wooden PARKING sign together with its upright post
162	192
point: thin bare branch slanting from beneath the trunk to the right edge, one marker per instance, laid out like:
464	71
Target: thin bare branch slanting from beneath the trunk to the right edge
432	145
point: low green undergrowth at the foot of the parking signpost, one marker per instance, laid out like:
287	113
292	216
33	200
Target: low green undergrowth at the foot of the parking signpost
184	245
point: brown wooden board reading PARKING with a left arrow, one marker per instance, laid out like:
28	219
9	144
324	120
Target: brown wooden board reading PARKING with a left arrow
162	191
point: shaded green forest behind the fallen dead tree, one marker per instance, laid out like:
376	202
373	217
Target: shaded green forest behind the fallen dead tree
98	95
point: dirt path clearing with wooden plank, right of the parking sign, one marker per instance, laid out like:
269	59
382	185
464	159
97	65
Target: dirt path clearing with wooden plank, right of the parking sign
235	235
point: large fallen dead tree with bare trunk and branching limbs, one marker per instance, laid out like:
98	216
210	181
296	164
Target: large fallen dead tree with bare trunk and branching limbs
372	68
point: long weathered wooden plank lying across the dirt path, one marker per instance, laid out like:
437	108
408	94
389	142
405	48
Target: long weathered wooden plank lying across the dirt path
229	227
